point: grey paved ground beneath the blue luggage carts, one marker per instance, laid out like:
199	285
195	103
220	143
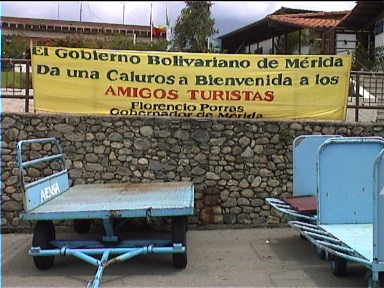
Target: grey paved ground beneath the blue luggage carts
257	257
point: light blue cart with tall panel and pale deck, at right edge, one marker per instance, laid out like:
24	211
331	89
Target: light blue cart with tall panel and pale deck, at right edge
351	205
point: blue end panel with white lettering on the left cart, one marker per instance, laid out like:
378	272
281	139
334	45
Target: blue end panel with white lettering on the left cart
43	190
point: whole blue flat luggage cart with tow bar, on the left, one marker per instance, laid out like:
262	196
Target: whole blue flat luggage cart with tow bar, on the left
51	198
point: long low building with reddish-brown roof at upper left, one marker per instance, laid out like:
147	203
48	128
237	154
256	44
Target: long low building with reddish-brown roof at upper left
44	29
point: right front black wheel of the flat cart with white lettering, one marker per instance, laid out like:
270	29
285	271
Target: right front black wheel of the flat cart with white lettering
179	227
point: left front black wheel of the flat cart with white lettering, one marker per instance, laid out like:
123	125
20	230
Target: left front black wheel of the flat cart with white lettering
43	233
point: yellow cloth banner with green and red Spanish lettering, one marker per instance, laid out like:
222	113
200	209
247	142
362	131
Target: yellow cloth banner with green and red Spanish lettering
146	83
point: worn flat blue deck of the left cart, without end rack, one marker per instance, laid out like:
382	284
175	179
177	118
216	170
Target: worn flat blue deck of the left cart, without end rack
118	200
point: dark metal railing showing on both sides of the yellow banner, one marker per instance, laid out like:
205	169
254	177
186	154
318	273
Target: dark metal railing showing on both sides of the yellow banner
366	93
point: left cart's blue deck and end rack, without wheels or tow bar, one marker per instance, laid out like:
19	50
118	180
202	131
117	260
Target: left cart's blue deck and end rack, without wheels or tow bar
45	199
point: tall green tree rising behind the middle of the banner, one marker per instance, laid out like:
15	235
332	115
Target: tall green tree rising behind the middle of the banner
193	27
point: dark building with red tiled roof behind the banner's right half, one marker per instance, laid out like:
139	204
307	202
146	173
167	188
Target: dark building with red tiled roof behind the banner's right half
308	29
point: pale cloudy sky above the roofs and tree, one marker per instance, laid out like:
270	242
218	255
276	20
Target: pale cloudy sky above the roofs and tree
228	15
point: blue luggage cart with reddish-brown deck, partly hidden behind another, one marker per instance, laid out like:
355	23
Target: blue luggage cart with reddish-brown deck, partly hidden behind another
302	205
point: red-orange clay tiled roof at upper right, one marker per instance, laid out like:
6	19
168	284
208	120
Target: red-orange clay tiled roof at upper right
319	20
